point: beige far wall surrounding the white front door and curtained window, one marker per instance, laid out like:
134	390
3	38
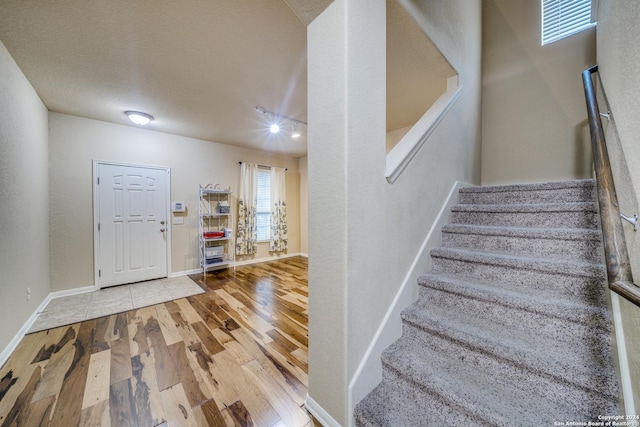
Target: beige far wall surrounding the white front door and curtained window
75	142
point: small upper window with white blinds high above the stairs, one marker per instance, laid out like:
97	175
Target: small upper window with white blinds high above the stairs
562	18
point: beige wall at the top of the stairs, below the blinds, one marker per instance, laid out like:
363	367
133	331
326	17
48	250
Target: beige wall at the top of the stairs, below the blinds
534	125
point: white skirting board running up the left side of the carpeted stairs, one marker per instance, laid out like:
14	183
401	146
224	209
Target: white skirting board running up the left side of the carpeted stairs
369	372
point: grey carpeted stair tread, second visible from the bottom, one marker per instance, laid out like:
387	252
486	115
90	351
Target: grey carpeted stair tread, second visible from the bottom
496	400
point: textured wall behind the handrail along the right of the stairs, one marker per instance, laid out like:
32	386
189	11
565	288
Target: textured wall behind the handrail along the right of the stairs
618	46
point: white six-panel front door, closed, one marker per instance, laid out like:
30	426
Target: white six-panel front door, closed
131	224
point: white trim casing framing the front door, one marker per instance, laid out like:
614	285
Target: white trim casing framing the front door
96	163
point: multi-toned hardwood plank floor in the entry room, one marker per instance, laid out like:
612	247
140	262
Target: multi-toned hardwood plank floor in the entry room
233	356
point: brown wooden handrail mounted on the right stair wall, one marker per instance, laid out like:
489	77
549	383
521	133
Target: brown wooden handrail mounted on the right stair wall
615	248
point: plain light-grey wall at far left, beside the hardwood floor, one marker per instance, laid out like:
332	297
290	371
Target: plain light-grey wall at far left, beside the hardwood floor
24	199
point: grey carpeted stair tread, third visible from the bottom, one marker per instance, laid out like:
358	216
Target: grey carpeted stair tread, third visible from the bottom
527	351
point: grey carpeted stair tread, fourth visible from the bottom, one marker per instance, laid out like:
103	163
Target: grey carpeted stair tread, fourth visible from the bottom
584	314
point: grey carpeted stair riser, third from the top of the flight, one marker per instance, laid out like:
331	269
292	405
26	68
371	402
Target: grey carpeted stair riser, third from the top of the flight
583	250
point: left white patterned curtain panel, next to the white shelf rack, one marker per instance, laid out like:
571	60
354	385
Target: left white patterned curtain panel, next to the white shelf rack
246	239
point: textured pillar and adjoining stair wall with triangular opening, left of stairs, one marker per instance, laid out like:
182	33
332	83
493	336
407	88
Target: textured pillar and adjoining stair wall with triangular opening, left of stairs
356	266
